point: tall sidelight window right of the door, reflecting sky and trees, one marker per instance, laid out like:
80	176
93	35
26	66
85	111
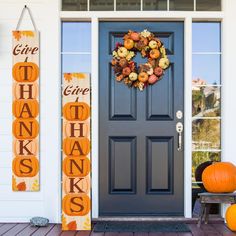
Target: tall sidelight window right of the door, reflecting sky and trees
206	100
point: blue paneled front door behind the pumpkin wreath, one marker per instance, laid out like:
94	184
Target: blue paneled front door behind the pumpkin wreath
140	167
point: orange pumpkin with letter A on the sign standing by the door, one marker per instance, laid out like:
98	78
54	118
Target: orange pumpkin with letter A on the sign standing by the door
76	146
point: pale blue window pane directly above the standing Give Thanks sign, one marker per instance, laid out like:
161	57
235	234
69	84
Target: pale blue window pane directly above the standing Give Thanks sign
76	63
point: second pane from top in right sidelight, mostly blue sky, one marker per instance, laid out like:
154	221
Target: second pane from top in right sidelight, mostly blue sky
206	69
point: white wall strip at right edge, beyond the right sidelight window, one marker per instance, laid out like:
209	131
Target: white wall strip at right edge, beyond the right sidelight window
228	92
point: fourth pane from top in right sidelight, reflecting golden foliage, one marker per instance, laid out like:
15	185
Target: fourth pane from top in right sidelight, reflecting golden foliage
205	134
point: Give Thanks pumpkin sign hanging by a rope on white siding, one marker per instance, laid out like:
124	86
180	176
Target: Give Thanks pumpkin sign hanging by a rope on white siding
25	109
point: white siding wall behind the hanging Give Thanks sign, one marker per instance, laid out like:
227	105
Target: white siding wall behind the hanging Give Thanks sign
21	206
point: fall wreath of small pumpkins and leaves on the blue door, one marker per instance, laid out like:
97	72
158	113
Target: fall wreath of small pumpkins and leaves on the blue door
143	75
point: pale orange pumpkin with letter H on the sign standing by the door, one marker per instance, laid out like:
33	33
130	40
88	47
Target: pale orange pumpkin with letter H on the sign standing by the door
84	126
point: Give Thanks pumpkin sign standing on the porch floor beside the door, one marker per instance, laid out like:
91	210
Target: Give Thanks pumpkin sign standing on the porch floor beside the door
76	204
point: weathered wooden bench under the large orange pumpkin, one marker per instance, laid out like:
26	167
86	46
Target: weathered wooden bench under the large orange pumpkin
206	199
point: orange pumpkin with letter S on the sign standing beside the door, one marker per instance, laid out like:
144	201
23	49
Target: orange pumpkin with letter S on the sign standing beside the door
76	204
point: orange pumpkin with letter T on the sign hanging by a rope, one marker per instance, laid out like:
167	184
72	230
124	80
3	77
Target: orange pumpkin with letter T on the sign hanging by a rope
25	71
